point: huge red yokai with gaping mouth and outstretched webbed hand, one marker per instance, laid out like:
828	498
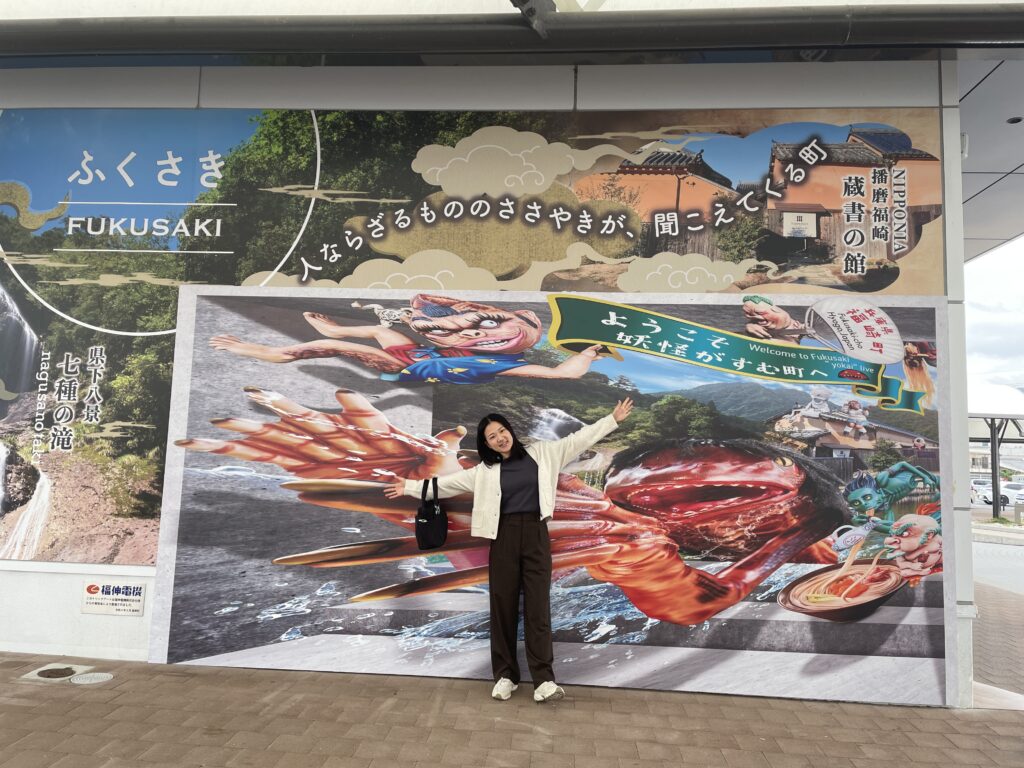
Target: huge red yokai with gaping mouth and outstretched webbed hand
746	501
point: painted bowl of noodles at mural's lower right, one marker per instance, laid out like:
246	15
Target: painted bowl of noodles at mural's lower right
845	592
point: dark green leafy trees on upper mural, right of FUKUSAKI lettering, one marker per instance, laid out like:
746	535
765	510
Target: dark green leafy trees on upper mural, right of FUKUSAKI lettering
369	153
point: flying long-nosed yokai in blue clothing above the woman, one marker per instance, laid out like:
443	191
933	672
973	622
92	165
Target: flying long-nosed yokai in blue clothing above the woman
470	344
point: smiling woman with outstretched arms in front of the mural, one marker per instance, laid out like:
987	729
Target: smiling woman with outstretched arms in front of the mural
514	492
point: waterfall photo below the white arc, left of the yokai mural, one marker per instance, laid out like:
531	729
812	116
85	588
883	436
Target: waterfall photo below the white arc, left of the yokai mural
80	447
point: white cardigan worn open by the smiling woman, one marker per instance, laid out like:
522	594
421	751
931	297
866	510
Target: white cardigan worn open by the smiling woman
486	485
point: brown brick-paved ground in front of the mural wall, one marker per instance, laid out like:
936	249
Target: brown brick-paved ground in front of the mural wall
152	716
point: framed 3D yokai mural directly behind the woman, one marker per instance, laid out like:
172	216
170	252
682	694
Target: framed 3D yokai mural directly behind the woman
773	503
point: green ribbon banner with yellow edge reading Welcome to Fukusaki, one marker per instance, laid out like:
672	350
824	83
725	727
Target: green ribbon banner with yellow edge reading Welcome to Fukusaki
580	322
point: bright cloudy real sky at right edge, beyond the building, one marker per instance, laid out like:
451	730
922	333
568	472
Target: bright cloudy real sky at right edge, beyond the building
995	338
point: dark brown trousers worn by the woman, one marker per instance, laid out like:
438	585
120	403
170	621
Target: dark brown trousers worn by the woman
521	561
